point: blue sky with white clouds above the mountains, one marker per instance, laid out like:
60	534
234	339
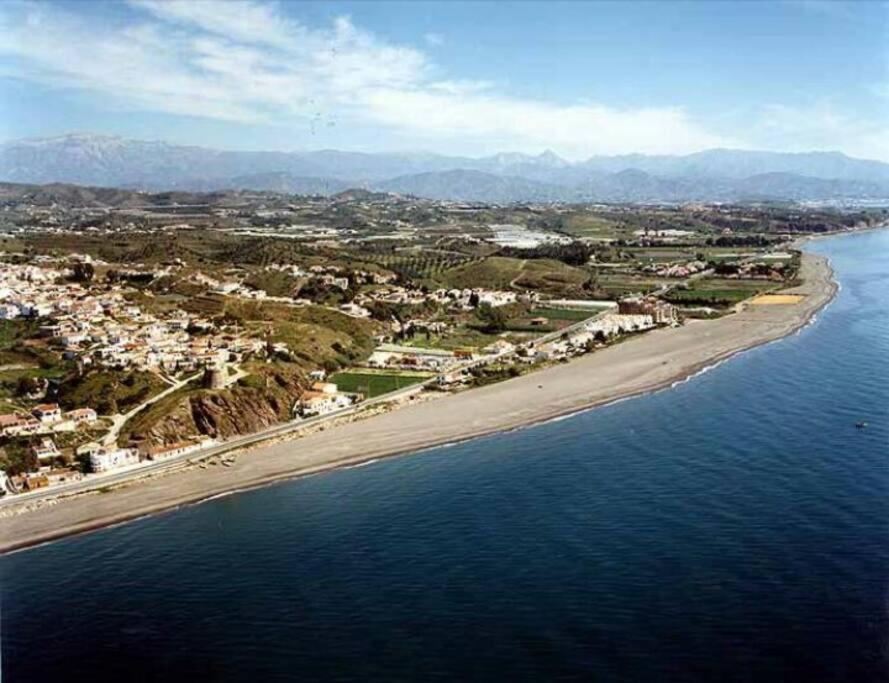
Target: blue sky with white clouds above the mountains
473	78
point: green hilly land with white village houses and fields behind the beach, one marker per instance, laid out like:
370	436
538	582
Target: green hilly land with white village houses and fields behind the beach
150	350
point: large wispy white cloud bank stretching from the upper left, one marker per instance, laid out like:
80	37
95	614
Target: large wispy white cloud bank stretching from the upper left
246	61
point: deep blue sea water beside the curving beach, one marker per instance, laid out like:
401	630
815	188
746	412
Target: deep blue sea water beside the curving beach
734	528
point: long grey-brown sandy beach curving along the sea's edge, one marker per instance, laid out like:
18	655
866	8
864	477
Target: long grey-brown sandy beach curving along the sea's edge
637	366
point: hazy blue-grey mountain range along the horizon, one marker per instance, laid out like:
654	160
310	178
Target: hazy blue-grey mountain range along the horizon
712	175
